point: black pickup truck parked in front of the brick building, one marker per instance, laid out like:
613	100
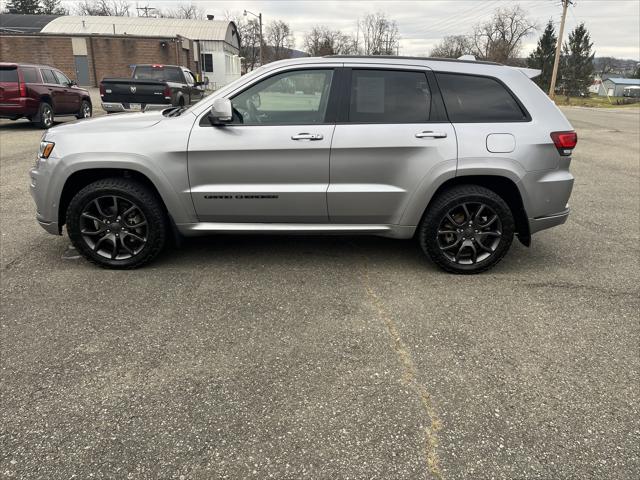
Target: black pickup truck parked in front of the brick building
151	87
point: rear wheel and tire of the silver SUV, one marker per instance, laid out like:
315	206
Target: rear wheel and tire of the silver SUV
459	232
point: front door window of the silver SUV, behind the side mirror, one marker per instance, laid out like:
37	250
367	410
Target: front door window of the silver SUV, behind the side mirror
299	97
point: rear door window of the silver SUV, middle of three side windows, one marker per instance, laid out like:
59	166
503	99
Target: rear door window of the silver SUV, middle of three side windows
387	96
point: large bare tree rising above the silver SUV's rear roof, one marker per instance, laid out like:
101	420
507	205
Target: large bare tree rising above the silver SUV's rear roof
500	39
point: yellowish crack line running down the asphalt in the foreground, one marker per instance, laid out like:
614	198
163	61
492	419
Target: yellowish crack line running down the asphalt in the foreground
410	378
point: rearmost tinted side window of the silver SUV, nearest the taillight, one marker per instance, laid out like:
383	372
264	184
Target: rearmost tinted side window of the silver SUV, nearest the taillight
473	99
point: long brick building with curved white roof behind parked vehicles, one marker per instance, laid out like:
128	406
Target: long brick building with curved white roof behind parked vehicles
89	49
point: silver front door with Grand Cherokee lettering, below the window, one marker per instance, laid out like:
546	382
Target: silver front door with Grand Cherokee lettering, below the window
244	173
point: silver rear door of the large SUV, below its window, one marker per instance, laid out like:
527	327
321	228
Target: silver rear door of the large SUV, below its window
376	168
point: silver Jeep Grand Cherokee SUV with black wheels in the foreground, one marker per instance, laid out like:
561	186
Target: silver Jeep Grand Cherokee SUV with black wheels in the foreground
461	154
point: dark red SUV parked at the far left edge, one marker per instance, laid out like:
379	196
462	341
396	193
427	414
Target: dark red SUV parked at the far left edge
39	93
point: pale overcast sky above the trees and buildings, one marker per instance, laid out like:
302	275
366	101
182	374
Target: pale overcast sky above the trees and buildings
613	24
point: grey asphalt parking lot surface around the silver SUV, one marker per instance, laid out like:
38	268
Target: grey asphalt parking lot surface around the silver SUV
287	357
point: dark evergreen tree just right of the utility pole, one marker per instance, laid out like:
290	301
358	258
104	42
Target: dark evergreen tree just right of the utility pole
577	62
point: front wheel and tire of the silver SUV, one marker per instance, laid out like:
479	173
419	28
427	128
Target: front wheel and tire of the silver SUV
133	223
